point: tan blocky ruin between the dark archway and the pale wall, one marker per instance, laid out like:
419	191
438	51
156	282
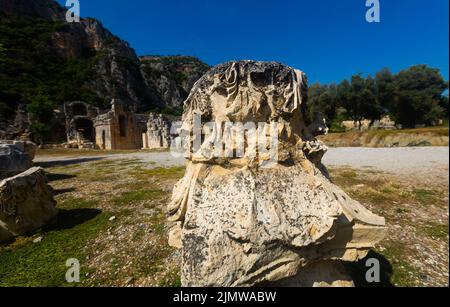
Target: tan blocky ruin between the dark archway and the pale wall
119	128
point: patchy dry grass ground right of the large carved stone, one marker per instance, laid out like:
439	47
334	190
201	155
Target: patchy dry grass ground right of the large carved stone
415	252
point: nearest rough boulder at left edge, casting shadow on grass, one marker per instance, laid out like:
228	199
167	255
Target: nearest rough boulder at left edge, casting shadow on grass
26	203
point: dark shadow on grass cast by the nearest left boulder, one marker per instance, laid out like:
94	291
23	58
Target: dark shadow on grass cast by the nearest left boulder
68	219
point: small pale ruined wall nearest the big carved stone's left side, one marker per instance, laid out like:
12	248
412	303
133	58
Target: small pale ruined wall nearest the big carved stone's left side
158	133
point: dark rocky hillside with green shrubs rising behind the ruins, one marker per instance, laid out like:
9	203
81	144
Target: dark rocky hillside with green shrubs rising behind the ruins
40	53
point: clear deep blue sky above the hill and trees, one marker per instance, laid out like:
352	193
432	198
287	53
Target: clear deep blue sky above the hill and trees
328	39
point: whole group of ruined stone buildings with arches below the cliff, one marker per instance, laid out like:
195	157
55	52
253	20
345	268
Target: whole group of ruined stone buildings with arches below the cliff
118	129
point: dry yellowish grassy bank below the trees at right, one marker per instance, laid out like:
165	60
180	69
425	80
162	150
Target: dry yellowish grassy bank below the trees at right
431	136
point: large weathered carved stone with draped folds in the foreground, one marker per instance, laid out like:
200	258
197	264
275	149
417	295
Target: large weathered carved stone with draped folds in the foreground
239	223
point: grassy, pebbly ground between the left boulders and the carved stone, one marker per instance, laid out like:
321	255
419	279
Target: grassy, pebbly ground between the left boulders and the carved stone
111	219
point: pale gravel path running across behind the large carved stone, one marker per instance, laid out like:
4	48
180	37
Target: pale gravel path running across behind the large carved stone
427	164
